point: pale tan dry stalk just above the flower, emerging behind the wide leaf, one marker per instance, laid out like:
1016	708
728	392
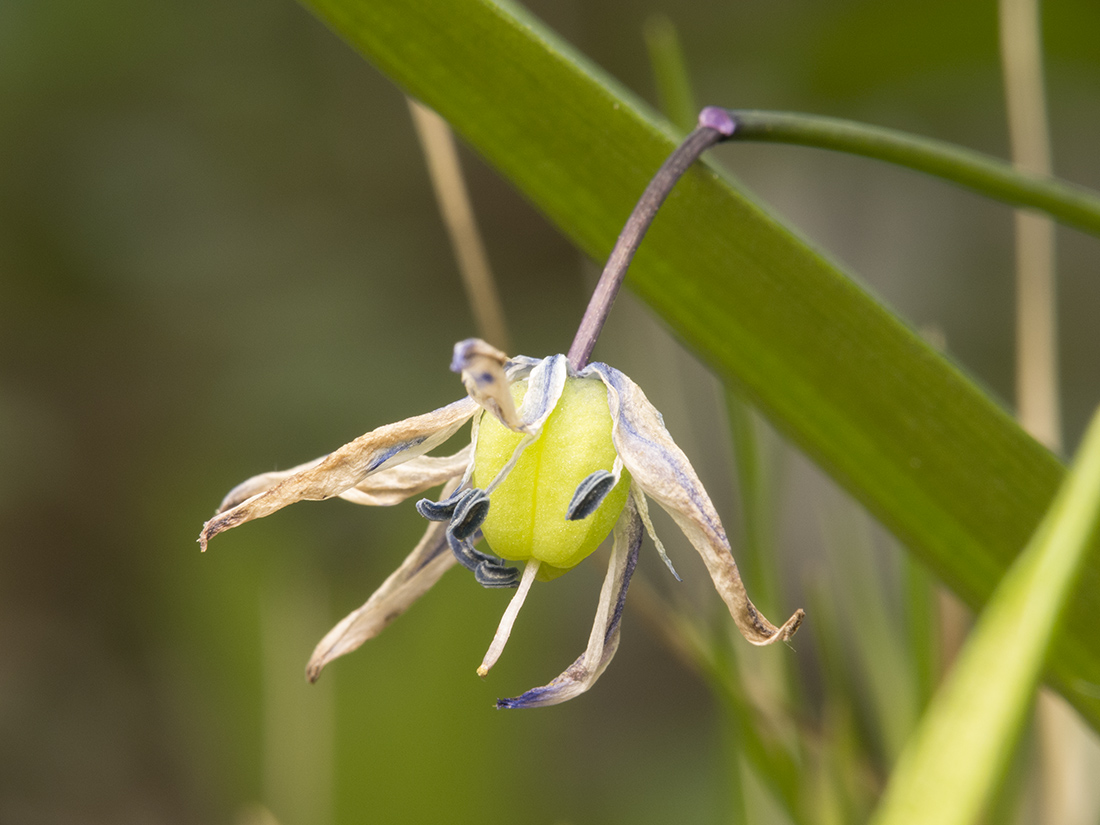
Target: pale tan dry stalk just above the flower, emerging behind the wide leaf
449	184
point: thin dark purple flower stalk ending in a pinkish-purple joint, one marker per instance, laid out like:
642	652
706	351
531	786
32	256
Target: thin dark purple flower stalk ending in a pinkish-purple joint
714	126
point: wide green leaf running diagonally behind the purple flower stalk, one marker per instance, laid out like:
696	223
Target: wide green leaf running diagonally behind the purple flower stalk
904	430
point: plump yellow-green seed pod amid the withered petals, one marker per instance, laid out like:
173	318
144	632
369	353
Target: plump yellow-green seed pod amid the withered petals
527	512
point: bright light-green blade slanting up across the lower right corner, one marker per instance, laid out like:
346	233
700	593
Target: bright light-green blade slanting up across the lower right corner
965	742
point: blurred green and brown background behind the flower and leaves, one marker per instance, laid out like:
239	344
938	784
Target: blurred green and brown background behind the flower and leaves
221	255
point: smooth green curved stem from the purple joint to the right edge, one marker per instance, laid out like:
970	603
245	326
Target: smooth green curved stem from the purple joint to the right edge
1068	203
